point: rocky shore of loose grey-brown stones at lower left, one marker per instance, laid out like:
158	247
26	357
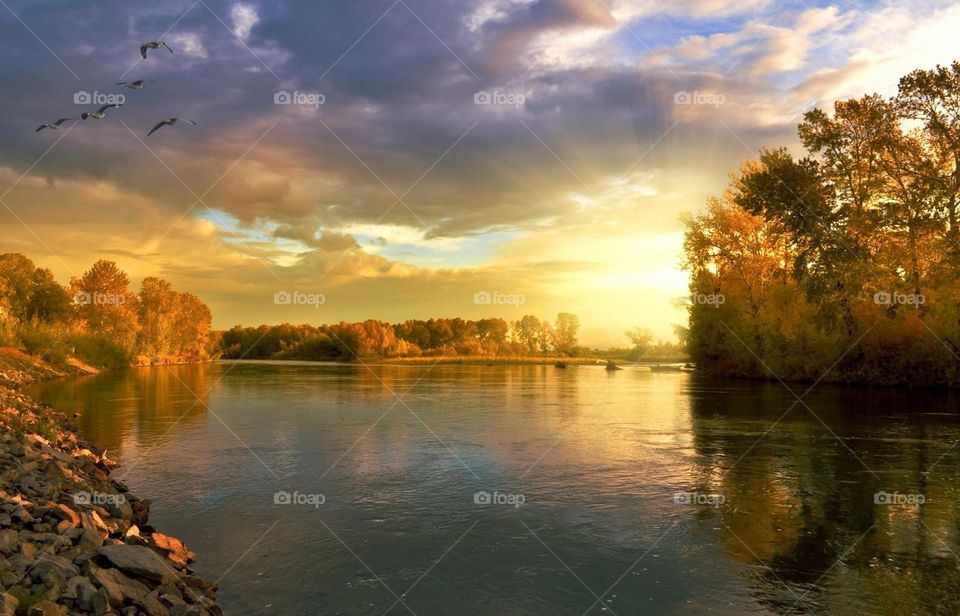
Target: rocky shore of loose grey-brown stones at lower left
73	540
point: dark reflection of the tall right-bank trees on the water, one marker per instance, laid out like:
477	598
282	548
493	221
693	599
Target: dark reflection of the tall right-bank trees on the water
806	495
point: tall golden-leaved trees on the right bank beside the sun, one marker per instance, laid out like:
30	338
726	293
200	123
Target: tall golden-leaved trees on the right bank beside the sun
842	264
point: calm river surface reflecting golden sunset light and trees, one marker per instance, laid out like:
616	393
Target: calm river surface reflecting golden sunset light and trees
606	465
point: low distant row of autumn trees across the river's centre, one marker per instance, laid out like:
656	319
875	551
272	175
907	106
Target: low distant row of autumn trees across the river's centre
493	337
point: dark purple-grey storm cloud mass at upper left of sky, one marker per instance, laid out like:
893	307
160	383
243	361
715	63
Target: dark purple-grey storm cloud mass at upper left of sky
397	97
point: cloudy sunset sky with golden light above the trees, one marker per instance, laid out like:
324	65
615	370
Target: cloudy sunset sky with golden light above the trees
395	159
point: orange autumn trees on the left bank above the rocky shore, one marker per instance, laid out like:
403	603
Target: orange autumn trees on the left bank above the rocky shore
97	319
